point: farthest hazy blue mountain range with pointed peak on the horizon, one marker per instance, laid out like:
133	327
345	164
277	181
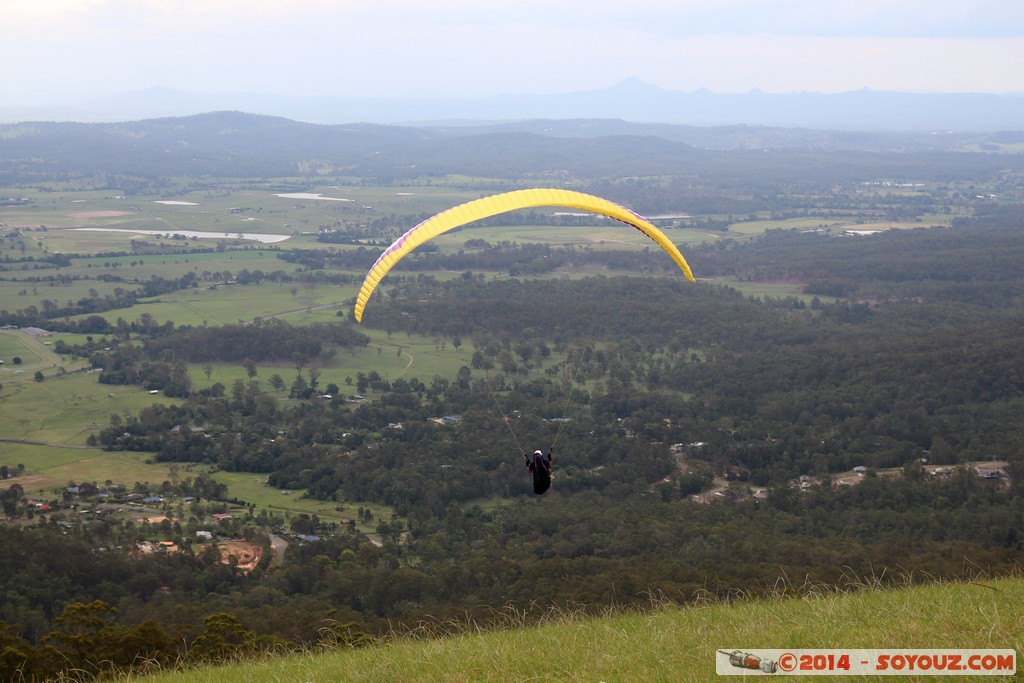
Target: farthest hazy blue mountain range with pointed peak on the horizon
631	101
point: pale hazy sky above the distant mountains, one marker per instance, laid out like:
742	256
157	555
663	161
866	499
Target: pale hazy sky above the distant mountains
54	51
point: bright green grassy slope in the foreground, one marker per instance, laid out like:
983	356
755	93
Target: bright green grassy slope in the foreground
671	645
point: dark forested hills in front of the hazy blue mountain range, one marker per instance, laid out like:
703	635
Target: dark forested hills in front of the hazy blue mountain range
145	156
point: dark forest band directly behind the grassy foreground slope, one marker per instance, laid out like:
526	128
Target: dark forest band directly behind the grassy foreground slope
71	608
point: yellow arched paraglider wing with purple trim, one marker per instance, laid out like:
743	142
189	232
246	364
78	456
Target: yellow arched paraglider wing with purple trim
492	206
